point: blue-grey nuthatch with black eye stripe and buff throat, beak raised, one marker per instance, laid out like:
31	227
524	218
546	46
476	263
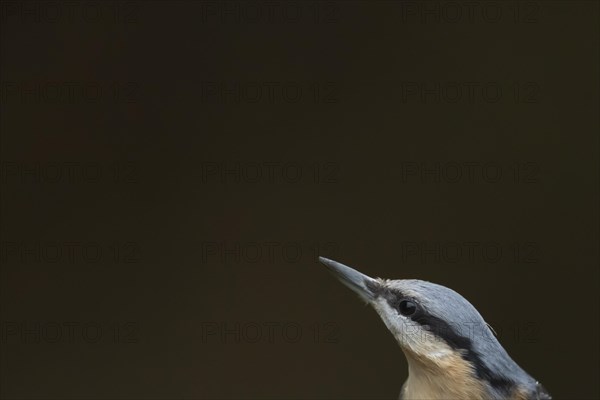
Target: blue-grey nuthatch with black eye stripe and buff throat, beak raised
451	352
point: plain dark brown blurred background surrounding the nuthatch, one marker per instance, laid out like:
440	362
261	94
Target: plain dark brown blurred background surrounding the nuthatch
153	141
